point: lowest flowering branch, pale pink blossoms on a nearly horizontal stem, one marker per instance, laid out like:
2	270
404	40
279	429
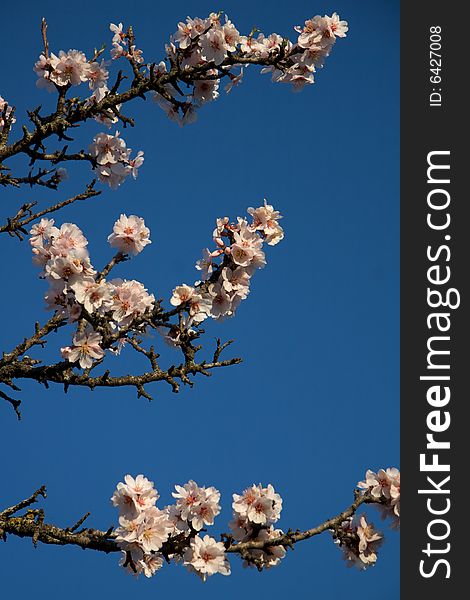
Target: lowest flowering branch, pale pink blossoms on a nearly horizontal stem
148	535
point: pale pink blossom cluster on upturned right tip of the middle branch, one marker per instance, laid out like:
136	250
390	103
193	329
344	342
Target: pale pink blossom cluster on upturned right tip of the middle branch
239	247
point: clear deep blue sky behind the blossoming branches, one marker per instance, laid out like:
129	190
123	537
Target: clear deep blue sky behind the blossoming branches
316	401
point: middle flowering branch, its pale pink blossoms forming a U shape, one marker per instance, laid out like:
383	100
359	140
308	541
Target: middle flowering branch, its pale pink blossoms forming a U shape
107	315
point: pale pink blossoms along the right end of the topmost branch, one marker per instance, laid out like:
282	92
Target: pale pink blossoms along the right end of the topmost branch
209	42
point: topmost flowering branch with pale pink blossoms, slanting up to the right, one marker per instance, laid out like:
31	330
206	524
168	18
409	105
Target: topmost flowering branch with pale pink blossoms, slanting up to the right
199	56
